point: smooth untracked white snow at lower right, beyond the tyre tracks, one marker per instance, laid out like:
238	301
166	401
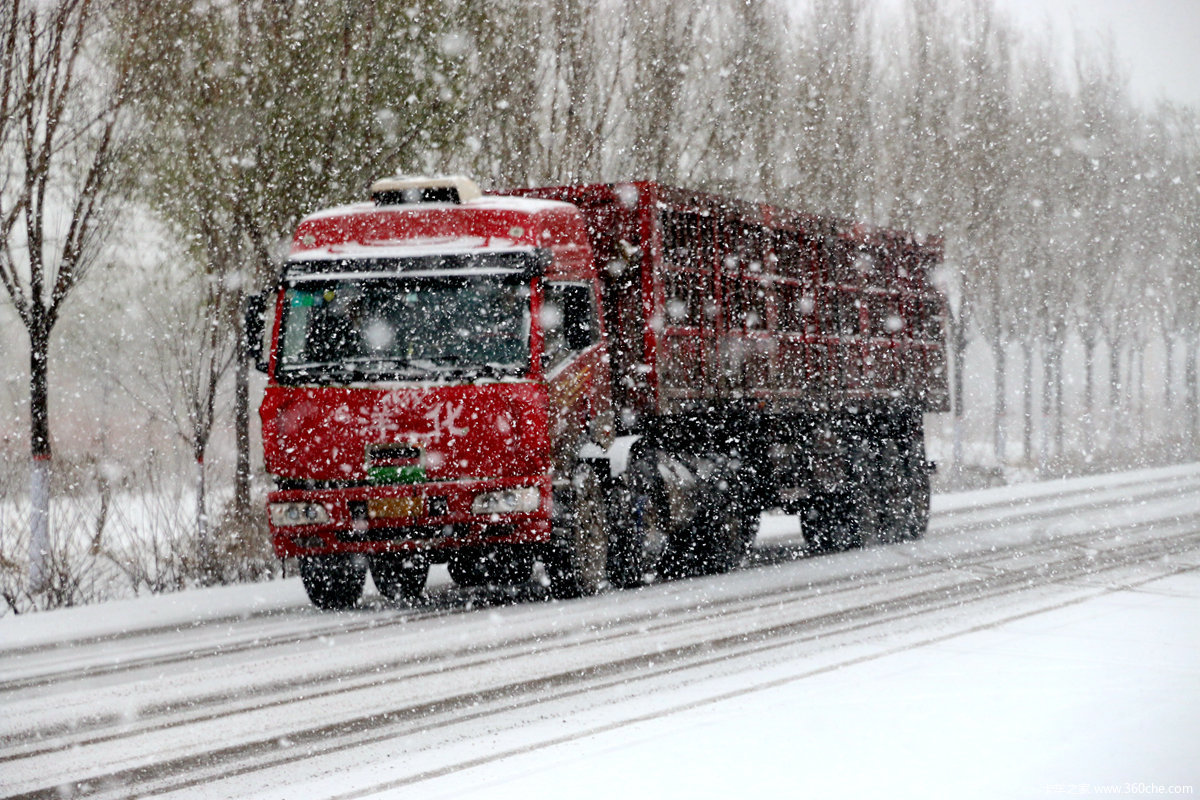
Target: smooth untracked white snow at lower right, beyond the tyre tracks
1102	694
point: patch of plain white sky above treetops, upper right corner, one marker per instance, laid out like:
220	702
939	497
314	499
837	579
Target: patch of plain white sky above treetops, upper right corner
1159	40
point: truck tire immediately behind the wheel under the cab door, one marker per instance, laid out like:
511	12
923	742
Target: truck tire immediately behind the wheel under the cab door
640	525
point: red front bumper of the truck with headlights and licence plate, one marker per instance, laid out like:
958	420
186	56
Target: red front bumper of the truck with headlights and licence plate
421	516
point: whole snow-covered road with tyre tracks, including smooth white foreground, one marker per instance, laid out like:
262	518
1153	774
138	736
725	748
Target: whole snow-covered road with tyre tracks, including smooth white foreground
1041	639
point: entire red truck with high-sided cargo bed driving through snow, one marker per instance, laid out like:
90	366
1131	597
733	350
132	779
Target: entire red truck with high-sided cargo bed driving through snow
614	380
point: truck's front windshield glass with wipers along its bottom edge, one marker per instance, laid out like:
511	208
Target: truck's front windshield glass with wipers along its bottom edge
346	328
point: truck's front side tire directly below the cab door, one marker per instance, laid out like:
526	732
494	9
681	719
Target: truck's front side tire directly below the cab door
578	558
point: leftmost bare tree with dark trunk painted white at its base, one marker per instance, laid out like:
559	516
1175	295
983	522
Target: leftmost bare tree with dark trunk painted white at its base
62	133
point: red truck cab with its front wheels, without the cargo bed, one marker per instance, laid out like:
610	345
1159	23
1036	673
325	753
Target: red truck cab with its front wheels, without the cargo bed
436	370
